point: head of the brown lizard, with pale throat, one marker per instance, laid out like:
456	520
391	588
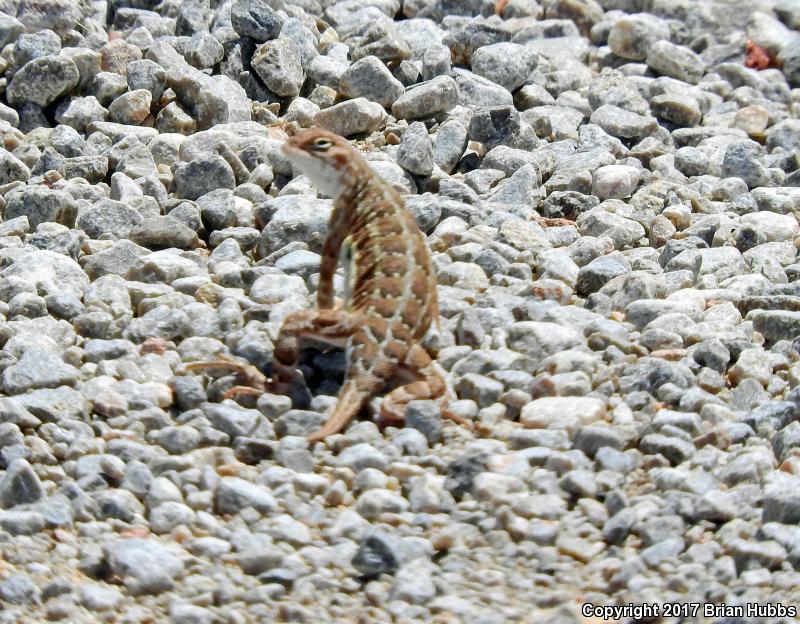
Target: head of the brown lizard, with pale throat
326	158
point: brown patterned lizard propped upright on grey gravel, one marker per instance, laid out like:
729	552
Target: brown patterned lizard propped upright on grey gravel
392	300
